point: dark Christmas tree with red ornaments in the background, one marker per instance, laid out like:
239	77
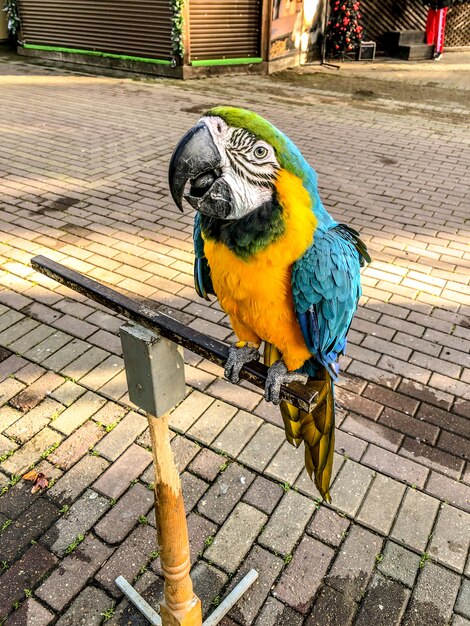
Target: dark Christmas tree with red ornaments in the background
344	32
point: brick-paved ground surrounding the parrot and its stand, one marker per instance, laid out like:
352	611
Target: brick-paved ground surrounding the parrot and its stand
83	181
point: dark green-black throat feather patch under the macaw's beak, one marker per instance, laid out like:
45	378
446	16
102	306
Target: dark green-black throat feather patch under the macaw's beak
250	234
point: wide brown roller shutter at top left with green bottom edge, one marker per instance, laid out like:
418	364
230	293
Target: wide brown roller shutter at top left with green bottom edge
139	28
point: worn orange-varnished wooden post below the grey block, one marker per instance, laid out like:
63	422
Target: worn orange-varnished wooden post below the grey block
181	606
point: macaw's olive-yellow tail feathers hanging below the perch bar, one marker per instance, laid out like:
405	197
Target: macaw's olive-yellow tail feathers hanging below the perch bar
316	429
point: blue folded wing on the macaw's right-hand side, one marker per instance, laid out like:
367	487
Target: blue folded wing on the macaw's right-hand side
326	289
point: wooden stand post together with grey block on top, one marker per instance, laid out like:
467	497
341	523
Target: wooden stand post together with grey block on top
155	378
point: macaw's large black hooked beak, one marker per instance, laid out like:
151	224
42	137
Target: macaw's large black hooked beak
197	161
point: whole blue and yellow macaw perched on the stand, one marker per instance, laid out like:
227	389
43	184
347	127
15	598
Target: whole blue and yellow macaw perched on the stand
284	271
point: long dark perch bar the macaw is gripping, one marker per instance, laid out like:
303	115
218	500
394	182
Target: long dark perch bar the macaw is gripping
301	396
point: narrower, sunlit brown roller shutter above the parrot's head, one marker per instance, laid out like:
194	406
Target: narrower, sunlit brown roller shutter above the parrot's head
224	30
